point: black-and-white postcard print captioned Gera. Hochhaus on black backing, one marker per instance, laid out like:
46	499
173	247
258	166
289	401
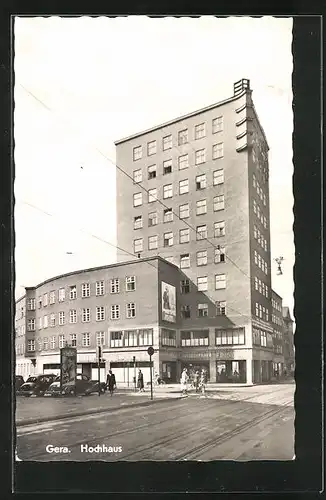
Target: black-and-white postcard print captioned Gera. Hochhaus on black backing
154	245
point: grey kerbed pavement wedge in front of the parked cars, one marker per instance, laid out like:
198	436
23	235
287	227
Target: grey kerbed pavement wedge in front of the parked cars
34	410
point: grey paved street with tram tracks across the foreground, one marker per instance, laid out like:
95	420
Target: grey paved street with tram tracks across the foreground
231	423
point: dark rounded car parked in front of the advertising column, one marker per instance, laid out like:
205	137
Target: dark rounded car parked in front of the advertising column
84	386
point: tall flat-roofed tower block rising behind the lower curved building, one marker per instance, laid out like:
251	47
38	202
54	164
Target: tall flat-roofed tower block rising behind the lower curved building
197	194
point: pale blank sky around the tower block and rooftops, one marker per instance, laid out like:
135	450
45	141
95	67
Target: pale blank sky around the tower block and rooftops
82	83
